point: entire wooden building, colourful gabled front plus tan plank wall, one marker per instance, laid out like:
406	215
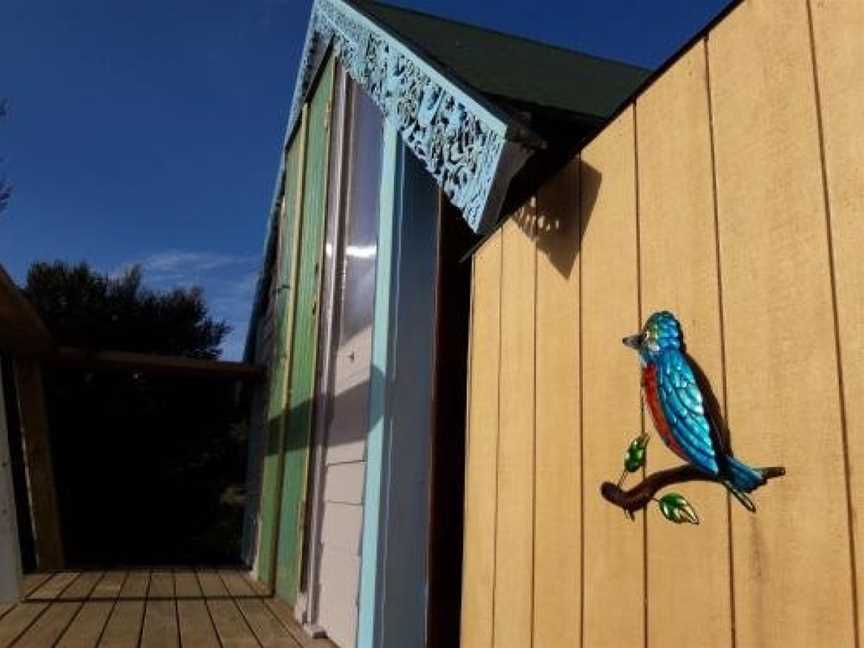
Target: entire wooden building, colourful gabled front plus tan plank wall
726	187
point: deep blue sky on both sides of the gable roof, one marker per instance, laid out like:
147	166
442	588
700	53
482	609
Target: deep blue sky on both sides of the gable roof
150	131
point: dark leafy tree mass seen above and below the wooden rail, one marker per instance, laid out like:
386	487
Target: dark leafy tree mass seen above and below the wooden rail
147	467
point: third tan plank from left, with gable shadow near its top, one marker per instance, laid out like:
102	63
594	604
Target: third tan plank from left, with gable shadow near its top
558	550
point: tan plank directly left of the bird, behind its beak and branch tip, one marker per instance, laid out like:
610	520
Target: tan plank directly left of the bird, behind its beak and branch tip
614	555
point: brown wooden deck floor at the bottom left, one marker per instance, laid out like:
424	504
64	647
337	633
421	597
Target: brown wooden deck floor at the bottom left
194	608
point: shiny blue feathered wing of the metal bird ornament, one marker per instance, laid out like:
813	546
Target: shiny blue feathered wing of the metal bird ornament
684	408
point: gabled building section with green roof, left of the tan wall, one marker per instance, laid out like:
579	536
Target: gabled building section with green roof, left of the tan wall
406	142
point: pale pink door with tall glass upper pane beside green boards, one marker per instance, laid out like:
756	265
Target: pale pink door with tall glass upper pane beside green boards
341	417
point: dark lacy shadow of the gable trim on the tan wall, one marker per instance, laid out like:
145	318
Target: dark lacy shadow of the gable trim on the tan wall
552	218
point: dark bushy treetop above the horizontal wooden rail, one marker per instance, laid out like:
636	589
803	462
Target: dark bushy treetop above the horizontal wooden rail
84	308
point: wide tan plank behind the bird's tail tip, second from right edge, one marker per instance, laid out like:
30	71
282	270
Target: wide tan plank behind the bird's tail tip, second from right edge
792	560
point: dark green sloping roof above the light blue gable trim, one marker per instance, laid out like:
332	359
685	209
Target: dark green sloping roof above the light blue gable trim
519	71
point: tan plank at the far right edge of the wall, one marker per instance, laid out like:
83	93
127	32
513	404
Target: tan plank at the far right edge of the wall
838	29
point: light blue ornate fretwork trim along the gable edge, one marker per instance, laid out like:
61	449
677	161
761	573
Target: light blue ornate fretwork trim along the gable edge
469	147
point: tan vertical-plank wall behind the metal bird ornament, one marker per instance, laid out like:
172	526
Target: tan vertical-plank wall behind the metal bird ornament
731	192
